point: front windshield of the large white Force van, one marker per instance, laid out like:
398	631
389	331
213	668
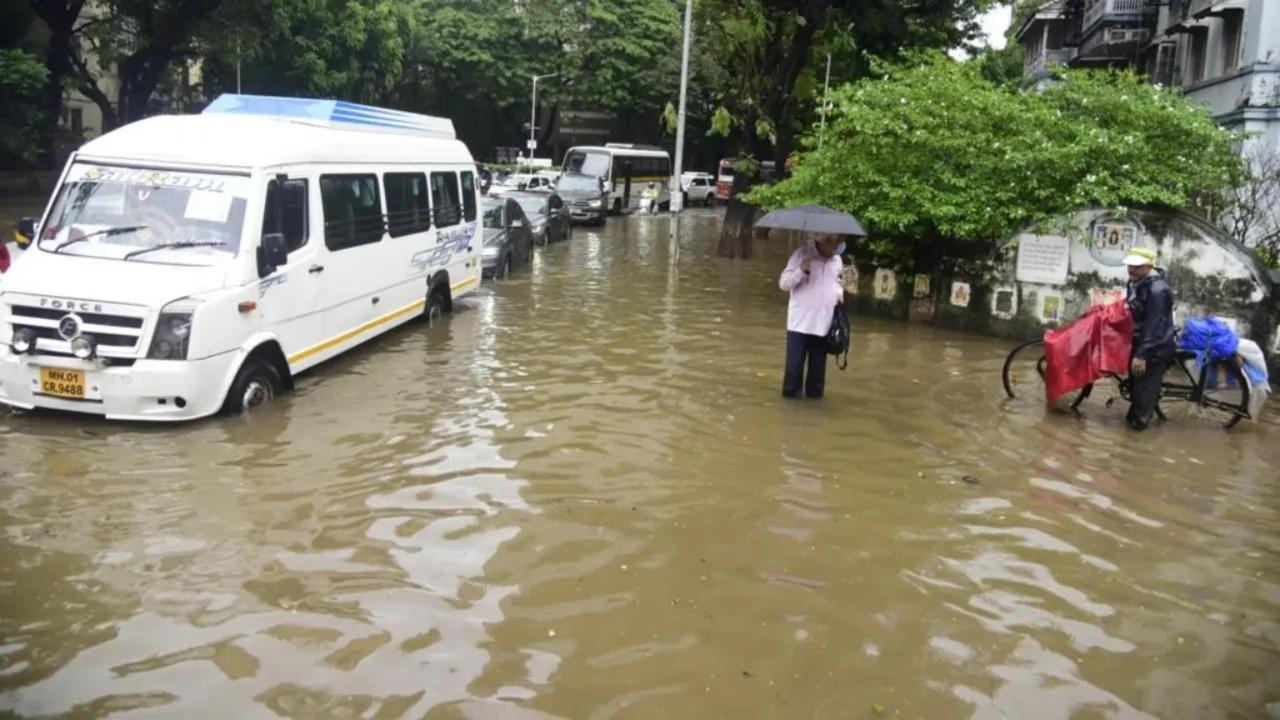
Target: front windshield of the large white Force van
148	216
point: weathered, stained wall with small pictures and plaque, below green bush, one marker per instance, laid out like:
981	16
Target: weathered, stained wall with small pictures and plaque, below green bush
1210	275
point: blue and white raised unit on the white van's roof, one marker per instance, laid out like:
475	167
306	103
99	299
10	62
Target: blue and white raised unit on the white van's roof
333	113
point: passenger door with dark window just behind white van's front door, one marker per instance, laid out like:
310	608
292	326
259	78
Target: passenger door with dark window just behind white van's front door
354	259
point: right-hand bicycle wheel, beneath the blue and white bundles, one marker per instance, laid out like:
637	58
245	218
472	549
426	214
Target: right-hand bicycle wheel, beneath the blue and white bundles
1217	395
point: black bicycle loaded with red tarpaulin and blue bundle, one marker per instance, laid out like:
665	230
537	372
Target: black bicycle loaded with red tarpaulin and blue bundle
1213	393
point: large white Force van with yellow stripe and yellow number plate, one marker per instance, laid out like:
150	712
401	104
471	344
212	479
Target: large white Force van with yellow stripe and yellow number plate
189	265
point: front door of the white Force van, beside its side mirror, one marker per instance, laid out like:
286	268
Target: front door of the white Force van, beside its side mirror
290	303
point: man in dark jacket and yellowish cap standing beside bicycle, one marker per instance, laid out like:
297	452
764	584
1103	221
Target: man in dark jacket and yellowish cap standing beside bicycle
1153	307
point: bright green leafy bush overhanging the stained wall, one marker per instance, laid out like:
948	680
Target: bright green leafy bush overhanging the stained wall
932	154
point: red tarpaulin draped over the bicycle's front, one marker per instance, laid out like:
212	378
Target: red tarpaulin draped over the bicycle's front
1096	344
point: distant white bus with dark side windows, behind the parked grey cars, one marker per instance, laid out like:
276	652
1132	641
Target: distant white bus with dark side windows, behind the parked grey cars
627	170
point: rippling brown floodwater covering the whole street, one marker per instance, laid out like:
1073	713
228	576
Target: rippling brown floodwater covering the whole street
583	496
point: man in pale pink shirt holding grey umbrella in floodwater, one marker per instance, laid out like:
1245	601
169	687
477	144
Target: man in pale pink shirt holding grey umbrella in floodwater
812	277
